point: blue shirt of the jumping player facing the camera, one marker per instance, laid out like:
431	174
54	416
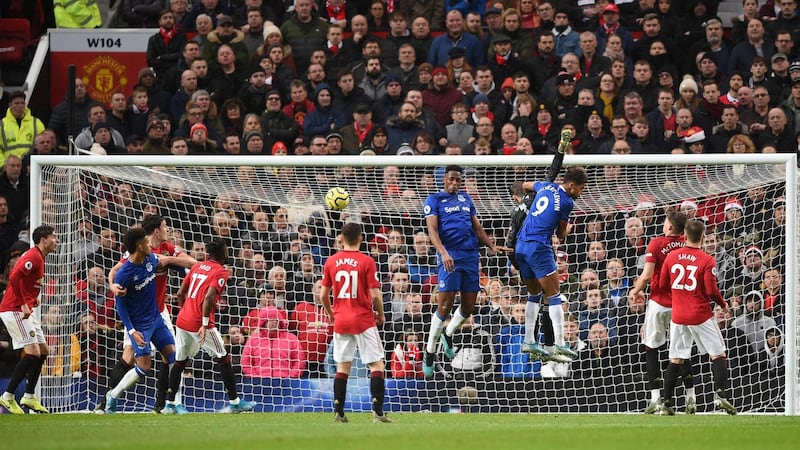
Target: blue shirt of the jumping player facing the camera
455	213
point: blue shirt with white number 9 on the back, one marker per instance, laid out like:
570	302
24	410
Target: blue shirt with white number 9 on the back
551	205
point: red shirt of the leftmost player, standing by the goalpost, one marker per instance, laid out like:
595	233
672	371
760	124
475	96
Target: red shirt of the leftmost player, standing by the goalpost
25	281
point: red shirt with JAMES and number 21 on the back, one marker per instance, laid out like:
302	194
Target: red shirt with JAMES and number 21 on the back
351	274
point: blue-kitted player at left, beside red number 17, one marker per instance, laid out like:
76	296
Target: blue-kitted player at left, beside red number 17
139	312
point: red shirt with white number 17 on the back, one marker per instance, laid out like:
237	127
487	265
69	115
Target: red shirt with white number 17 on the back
203	276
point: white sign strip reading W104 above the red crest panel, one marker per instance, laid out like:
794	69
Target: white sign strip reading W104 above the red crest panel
108	41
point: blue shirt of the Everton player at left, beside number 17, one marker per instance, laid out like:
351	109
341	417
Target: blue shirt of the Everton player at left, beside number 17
138	309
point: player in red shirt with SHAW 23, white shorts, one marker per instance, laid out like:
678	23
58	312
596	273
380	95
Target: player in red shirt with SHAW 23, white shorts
691	275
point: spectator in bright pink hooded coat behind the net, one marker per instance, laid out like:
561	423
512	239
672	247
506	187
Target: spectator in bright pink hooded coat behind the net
272	351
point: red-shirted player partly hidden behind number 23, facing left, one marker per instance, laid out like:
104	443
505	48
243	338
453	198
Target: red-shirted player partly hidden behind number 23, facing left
659	310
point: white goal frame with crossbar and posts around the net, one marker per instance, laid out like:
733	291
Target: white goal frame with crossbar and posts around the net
38	162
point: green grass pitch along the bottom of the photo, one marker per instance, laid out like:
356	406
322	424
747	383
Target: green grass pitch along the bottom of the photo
415	431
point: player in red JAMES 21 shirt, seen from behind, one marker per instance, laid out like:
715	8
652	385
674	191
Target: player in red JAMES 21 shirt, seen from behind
356	312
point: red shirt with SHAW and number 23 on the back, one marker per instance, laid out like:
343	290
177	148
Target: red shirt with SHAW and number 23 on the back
692	276
